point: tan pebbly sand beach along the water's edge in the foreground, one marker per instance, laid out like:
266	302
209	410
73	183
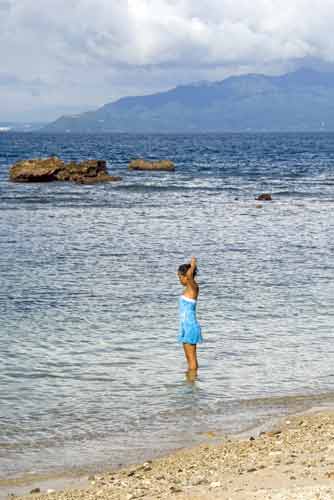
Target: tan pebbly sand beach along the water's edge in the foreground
295	460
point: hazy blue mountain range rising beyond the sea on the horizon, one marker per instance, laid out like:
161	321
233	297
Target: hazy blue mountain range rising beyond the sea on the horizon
299	101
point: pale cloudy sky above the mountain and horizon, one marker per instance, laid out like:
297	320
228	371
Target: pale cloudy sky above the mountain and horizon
66	56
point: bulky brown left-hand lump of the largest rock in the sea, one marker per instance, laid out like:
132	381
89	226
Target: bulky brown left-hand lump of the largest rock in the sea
36	170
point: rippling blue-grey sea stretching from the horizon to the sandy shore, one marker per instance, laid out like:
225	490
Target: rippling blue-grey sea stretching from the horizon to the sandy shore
90	371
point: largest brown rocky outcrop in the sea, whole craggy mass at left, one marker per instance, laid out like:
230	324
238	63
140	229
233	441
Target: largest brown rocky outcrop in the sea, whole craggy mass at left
54	169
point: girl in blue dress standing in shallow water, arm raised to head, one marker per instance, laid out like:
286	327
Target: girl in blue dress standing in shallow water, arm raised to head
190	330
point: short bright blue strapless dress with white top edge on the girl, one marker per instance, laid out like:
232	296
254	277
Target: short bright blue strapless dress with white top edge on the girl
190	330
